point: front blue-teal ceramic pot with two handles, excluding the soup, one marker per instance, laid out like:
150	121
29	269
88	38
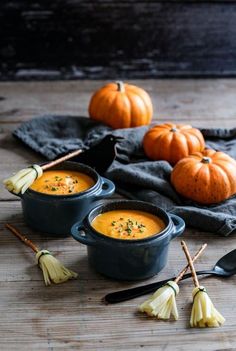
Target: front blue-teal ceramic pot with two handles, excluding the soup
128	259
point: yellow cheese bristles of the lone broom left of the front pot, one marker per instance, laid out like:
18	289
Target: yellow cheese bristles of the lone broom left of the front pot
53	270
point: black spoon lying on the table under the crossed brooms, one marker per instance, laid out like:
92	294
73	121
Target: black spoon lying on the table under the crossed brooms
225	267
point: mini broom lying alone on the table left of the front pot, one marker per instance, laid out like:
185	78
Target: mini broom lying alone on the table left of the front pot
53	270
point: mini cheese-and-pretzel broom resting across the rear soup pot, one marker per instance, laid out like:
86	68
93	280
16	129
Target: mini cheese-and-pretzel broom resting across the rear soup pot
22	180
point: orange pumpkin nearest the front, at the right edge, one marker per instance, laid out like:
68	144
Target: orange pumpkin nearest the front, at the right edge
208	177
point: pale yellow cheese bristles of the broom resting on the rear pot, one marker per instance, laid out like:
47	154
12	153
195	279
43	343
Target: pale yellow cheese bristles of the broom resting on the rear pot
22	180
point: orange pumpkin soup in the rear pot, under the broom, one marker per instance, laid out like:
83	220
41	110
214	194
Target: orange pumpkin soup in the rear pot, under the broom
62	182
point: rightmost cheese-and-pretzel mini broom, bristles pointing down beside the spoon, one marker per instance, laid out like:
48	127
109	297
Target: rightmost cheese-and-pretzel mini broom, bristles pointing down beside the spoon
203	314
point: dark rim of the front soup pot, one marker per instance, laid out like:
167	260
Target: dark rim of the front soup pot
103	237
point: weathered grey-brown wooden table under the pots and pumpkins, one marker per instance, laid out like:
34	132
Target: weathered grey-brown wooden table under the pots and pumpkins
71	316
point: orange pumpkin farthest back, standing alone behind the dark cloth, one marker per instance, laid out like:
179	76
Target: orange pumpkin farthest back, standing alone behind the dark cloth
121	105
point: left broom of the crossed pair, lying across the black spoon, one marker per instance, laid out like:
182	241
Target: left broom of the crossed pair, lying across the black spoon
162	303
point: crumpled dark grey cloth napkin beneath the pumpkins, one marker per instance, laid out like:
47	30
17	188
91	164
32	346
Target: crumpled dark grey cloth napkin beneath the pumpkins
135	176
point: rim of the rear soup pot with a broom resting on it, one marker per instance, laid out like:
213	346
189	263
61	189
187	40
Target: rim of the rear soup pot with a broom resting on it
69	196
